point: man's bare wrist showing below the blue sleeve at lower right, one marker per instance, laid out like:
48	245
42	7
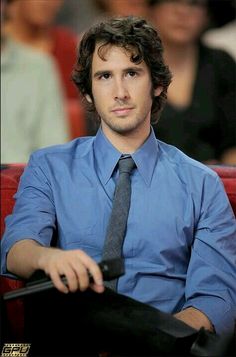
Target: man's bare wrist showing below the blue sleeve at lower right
195	318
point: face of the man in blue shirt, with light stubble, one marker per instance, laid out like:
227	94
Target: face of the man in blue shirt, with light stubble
121	91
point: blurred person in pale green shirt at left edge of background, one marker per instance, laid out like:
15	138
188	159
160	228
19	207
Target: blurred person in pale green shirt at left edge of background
32	110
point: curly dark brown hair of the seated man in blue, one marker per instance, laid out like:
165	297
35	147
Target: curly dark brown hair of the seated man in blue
136	36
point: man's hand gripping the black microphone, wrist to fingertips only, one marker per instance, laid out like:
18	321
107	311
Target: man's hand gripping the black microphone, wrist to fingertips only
74	265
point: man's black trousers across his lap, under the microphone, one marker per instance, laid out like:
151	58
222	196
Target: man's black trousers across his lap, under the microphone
87	323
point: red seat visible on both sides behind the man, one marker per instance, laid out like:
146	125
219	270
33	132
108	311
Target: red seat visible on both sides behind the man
10	175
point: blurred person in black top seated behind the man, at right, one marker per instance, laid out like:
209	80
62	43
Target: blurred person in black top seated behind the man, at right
199	117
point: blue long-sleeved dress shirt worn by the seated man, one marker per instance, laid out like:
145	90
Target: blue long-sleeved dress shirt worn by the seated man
180	245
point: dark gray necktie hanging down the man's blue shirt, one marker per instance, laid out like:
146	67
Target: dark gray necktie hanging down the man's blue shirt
119	215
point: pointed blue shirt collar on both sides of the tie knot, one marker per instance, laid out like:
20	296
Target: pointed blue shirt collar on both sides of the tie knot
107	157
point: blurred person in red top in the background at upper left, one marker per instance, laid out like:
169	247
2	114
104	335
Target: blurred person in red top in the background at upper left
31	22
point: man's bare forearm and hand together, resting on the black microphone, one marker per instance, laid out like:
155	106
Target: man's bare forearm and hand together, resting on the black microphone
27	256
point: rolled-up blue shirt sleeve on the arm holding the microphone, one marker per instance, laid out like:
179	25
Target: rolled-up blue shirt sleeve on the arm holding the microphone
33	215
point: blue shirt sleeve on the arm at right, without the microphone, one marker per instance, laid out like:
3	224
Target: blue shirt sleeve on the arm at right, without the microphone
211	275
